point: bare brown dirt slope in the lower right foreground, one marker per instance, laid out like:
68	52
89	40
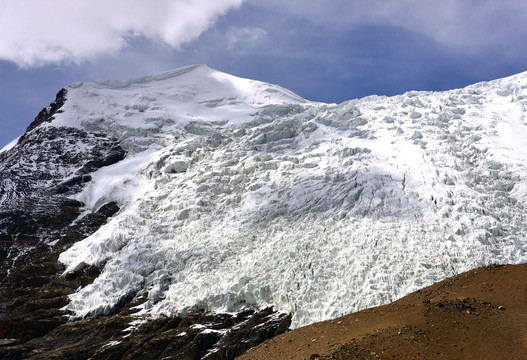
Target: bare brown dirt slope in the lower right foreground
481	314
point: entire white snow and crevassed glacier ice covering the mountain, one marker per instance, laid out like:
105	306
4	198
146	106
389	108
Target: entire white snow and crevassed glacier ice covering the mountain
239	193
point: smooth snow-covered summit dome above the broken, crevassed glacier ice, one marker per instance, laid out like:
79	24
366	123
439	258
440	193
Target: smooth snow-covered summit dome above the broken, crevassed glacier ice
154	109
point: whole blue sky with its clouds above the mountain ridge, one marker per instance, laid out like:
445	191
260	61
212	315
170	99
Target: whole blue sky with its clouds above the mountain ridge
323	50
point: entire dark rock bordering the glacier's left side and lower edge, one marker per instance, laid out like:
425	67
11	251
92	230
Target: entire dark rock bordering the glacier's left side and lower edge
39	220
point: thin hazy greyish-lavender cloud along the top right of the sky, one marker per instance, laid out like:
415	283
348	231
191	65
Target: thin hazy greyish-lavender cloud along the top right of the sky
463	24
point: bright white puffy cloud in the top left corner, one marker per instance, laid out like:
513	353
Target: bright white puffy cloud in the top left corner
35	33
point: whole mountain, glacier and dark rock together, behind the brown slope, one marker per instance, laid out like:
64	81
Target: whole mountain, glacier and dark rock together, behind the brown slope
194	214
